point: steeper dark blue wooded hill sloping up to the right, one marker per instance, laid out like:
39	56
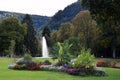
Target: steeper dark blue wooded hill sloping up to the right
65	15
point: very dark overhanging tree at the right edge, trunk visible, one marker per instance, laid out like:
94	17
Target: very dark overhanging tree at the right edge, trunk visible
106	13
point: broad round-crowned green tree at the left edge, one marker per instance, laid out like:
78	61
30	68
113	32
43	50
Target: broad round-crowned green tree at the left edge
11	30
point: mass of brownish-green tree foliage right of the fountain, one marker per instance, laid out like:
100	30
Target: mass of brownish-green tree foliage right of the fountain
81	32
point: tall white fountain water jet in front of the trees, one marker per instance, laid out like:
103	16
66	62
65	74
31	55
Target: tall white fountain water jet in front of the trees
45	52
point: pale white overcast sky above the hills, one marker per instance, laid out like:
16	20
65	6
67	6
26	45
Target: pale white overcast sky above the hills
38	7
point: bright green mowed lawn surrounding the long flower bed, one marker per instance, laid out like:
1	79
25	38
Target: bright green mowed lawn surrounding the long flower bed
7	74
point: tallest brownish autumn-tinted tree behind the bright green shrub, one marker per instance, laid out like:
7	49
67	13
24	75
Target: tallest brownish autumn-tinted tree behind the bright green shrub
85	28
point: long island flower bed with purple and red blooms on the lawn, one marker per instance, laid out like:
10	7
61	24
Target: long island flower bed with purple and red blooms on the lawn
82	66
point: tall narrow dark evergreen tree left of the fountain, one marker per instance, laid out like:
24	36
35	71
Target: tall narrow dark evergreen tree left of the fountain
30	41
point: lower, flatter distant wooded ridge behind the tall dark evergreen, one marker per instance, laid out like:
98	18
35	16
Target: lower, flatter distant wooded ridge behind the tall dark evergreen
38	20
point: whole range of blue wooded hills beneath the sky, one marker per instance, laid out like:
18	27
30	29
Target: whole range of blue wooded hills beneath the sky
53	22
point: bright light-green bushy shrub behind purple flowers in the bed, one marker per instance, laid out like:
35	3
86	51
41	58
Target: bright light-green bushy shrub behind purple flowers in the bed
84	60
